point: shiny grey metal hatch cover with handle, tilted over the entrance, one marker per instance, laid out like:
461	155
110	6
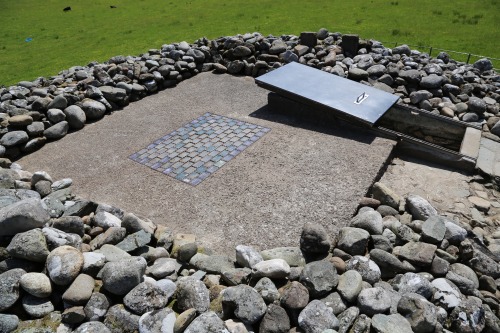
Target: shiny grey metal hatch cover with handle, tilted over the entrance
309	85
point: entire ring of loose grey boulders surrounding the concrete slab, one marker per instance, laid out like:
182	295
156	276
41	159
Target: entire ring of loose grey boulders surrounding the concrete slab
68	264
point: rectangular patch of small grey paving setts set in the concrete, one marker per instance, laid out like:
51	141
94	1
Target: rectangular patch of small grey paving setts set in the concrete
198	149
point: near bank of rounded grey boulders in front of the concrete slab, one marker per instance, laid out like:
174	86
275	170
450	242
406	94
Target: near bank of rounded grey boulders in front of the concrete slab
72	265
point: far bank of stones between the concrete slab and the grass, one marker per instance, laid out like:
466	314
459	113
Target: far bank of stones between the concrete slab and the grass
32	113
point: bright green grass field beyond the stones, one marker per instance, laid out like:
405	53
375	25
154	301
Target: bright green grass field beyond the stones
94	31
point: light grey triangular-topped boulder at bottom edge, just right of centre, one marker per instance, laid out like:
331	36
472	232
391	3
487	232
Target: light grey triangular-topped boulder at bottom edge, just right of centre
317	317
